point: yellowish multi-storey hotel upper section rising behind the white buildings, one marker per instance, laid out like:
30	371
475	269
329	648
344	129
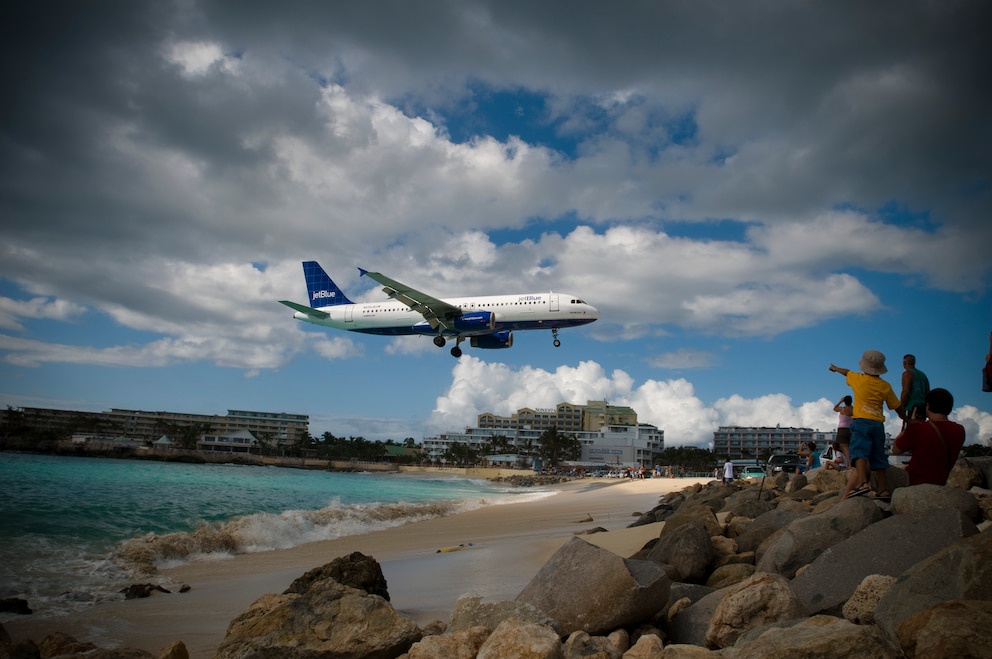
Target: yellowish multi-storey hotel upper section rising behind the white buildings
566	417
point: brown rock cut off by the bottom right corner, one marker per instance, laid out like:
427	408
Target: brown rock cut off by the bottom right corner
950	630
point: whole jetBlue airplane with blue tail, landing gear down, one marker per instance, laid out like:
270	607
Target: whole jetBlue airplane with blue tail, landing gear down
486	321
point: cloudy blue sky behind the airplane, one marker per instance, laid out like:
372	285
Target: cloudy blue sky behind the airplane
747	192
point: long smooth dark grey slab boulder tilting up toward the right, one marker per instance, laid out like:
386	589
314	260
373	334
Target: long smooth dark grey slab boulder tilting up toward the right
887	547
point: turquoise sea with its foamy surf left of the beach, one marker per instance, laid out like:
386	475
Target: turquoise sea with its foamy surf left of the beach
74	531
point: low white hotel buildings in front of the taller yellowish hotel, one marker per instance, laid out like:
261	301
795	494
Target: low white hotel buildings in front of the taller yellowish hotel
611	446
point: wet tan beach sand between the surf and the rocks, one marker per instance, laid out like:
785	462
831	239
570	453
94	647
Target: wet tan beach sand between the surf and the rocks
509	544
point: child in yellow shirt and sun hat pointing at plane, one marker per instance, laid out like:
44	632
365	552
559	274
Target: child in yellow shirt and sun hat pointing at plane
868	423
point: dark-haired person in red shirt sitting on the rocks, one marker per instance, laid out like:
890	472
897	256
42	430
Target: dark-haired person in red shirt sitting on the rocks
935	444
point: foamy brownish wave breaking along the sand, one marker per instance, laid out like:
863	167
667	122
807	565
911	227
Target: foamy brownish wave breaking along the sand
266	531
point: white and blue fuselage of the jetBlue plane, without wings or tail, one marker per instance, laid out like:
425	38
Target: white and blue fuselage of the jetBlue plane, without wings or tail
527	311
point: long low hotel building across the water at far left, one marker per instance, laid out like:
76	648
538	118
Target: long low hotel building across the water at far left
278	428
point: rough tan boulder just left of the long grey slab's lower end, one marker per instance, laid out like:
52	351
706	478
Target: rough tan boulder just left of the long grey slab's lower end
761	599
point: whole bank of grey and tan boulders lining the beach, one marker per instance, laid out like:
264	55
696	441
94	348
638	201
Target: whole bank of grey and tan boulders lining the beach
779	568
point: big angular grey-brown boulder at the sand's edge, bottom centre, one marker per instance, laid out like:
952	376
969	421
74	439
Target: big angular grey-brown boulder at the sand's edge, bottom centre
588	588
